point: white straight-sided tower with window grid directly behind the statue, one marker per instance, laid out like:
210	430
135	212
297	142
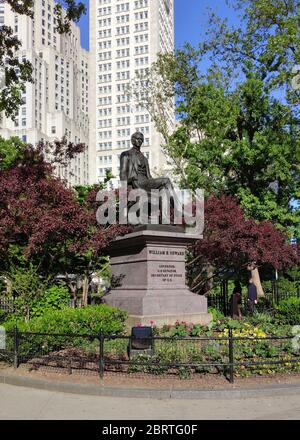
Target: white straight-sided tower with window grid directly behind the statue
125	38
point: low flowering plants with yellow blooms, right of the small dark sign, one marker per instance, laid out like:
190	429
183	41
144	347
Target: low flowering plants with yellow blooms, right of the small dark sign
251	345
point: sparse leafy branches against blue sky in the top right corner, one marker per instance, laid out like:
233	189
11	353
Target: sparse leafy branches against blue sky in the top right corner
266	40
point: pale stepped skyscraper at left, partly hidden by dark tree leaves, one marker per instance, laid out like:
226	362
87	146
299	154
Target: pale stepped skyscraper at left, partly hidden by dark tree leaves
56	103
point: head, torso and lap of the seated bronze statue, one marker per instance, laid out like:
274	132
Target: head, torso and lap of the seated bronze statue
134	168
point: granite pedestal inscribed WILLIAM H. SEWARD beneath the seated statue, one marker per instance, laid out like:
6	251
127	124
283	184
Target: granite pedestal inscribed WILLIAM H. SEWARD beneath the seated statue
149	278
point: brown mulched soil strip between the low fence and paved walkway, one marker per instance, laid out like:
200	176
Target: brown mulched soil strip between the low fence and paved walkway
67	366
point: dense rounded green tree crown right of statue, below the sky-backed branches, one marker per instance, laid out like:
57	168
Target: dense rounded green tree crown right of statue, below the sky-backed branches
238	143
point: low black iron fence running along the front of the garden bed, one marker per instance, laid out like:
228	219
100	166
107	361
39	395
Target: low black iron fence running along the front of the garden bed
227	354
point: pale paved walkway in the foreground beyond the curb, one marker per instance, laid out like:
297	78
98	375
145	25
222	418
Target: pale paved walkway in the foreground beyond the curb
31	404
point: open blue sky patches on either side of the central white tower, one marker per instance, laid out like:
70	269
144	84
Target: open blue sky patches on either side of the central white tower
190	20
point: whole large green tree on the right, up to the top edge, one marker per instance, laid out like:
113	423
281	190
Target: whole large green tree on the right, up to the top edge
234	137
